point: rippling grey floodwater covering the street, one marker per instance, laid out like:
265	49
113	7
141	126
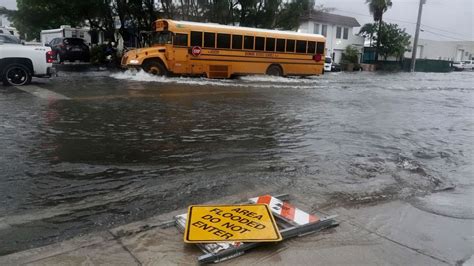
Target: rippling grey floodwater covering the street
127	146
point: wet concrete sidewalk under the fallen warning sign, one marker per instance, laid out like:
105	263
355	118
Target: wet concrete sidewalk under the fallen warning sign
393	233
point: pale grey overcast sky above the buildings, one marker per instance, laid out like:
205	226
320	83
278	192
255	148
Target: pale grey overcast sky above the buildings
442	19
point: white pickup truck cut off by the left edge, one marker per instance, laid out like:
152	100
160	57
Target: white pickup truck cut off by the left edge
19	63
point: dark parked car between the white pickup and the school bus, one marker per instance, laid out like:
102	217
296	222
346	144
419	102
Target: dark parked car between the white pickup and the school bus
70	49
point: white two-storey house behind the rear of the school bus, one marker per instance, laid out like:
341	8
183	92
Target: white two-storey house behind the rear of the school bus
338	30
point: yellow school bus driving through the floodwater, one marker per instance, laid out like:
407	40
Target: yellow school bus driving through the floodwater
220	51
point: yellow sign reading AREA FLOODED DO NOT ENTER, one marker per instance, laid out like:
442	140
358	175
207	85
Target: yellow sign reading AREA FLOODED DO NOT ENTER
228	223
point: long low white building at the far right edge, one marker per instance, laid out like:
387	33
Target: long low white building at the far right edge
444	50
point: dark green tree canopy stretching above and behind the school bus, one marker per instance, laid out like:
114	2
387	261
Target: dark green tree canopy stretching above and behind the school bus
33	16
